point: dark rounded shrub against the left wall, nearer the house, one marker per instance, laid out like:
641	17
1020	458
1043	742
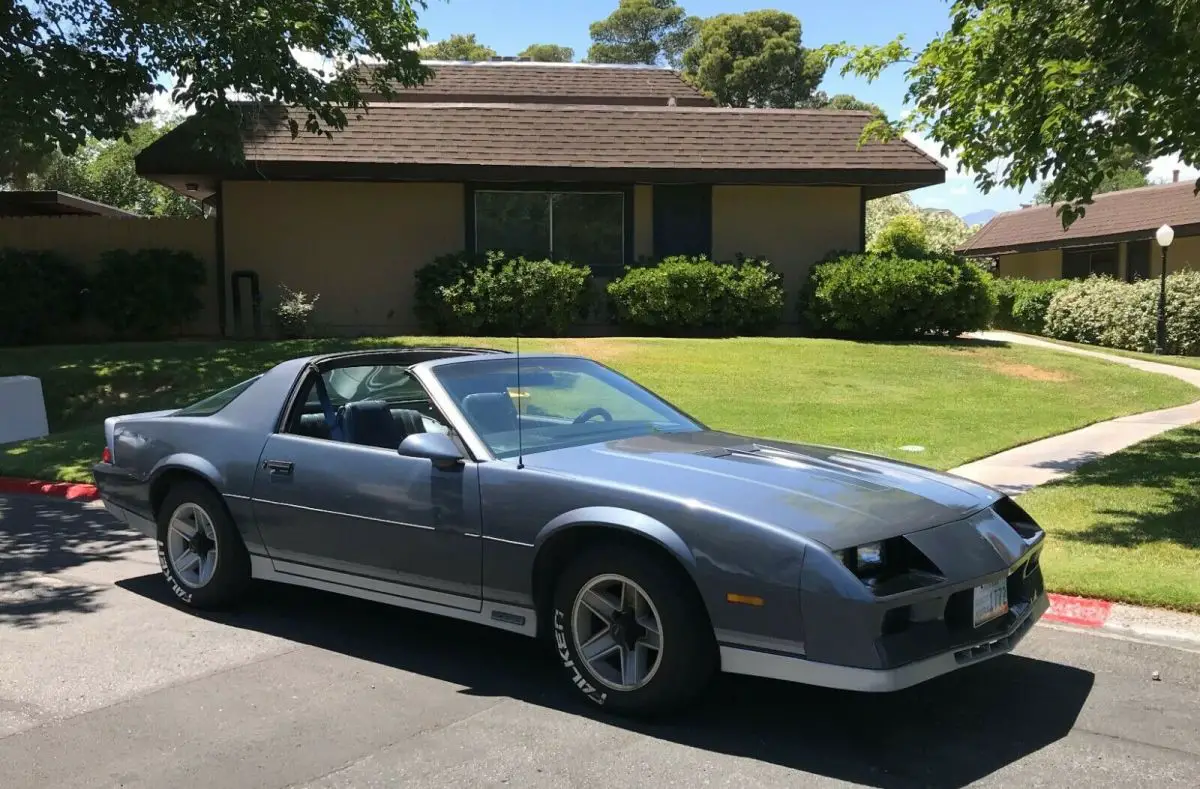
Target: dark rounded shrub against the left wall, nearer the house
147	294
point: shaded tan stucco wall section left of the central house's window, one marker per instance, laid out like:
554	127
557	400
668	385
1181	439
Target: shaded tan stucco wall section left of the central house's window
357	245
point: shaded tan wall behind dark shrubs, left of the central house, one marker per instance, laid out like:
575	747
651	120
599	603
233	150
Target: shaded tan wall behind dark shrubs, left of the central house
83	239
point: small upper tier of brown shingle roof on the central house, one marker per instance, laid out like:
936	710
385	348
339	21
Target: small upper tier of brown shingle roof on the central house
551	83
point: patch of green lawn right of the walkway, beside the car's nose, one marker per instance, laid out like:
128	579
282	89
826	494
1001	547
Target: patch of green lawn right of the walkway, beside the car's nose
1127	528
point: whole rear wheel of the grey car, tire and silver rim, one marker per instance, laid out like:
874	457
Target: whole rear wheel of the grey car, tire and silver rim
200	550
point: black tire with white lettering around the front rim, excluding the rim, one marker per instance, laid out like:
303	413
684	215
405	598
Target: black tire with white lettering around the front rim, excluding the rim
688	657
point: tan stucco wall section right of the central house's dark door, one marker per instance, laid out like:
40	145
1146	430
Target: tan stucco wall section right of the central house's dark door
791	226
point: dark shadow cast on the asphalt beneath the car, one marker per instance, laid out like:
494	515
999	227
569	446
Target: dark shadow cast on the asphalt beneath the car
947	733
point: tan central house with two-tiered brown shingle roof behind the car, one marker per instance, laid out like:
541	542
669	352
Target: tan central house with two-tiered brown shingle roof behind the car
599	165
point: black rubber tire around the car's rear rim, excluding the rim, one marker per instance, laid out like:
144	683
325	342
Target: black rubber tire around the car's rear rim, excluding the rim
231	575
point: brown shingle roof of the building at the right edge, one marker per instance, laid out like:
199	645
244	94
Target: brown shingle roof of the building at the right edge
1132	213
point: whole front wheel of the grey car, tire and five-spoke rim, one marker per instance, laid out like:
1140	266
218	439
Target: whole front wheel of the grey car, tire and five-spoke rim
632	633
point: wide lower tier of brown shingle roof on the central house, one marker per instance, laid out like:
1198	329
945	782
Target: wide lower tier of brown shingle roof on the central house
548	136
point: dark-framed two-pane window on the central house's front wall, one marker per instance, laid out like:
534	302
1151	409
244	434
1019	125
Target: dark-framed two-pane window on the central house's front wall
581	227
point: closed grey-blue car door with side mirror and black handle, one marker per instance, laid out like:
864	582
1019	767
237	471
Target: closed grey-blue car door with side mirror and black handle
371	519
